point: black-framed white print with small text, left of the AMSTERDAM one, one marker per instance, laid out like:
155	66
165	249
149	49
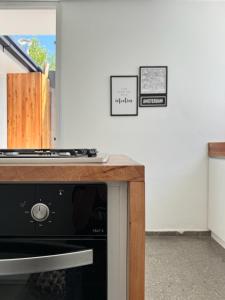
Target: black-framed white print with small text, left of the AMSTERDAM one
124	95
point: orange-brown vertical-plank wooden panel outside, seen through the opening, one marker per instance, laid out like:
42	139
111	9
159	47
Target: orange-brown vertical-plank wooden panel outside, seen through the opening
28	109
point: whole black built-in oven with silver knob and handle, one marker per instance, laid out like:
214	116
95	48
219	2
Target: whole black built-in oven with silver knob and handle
53	241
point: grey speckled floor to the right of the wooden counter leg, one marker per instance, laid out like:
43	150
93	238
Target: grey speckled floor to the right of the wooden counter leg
184	268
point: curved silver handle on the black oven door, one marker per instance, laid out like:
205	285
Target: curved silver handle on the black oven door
46	263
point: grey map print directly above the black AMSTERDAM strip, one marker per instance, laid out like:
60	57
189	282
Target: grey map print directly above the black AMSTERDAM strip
153	80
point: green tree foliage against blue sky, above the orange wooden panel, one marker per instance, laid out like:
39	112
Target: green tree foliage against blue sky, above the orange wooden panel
39	55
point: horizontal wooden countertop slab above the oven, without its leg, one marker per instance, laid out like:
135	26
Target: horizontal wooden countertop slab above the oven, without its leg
118	168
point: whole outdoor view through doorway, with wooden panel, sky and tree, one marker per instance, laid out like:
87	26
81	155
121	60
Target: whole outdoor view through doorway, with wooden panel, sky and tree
27	78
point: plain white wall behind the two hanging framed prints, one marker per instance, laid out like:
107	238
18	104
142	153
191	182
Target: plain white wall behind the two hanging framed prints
102	38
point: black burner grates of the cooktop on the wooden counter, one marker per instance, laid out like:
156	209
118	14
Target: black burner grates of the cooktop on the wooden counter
47	153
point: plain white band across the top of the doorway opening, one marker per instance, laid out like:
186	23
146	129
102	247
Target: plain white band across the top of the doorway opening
27	21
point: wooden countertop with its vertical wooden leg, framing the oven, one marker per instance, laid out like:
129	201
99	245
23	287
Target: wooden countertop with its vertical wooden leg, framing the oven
119	168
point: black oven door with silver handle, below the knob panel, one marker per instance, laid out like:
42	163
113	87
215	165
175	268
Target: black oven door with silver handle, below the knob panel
53	269
